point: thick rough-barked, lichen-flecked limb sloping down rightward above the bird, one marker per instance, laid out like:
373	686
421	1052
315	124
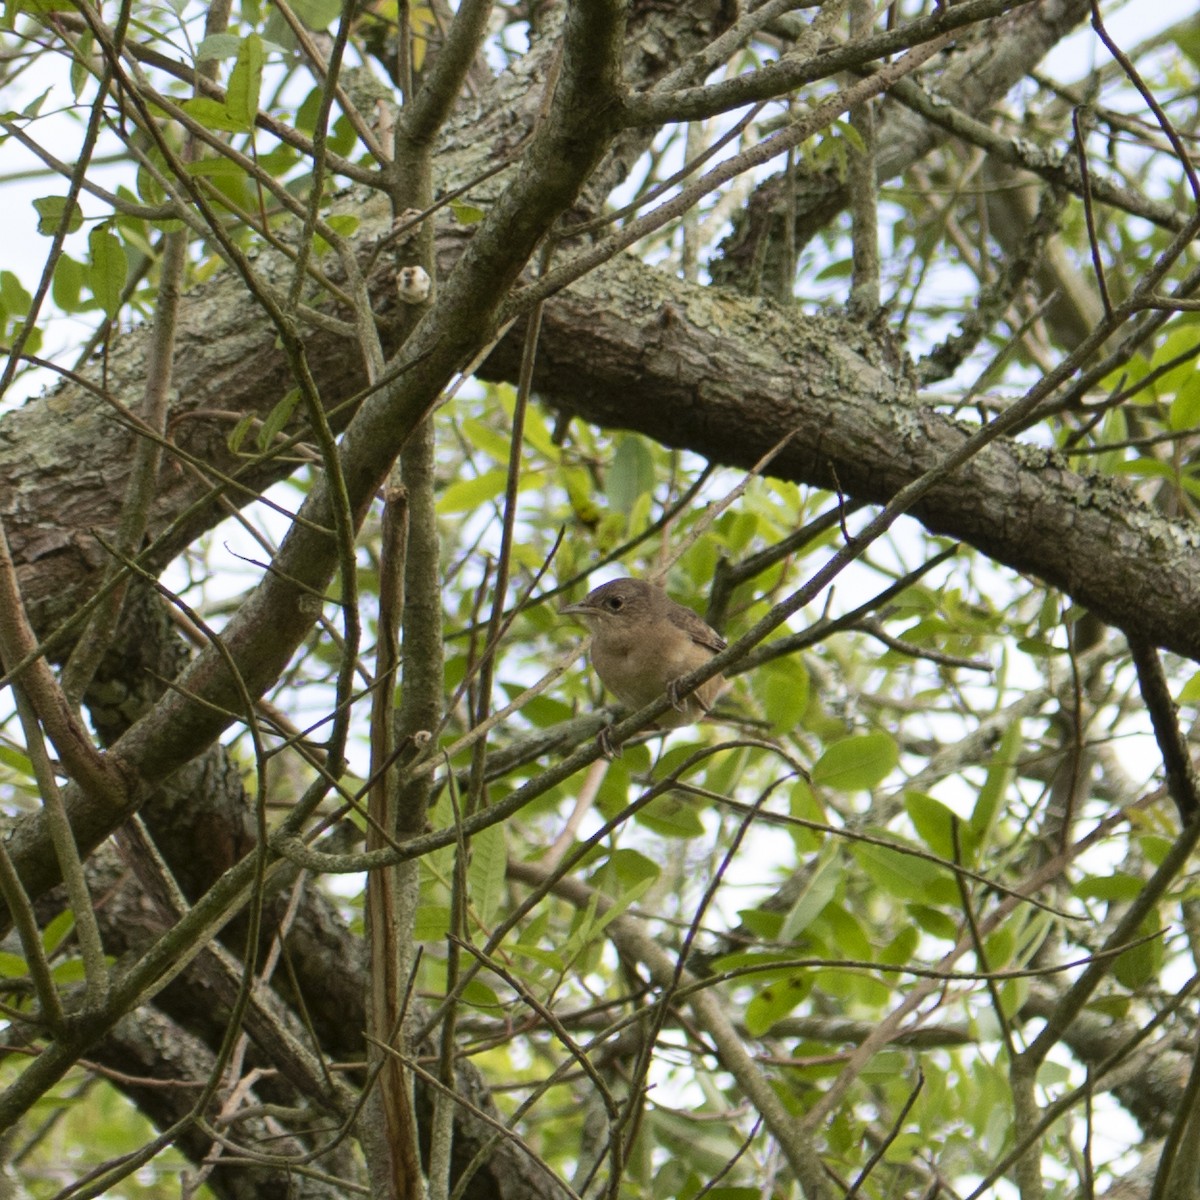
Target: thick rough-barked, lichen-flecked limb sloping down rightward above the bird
723	376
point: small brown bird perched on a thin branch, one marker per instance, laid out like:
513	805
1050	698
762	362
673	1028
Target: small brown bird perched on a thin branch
643	643
